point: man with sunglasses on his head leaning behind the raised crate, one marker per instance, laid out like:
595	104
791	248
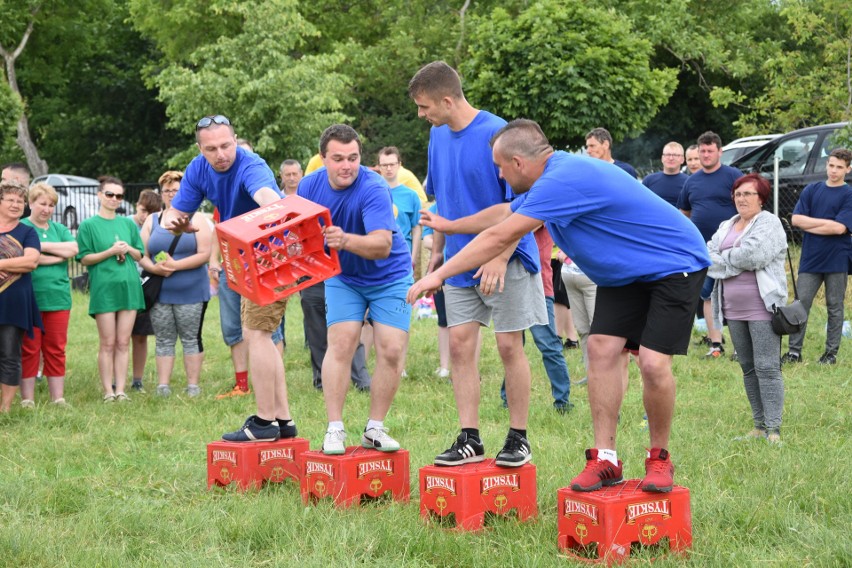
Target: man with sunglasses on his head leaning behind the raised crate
237	181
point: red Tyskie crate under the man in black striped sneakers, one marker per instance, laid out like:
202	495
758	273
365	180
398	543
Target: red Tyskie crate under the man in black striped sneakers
470	491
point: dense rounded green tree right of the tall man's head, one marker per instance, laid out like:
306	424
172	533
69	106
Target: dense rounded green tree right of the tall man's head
568	66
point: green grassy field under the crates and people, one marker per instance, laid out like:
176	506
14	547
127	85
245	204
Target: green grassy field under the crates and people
125	484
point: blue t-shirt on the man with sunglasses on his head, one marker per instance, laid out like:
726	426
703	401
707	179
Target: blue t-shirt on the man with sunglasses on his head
231	191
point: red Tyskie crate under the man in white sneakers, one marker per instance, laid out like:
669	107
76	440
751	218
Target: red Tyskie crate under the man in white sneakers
359	472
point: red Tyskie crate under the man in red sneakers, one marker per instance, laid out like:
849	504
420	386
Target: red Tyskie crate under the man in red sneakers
602	526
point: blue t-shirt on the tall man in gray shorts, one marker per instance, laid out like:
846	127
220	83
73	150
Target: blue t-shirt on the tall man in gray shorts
464	180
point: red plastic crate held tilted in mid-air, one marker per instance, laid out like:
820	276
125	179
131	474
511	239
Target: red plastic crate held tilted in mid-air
274	251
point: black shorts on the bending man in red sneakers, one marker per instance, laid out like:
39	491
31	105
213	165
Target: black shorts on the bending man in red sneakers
657	315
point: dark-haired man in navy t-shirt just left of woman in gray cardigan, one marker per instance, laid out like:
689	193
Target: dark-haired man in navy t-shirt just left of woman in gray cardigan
706	200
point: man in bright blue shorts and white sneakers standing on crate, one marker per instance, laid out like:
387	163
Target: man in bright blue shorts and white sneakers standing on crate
375	275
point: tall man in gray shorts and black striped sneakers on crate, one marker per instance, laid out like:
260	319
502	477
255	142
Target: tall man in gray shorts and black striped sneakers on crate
464	181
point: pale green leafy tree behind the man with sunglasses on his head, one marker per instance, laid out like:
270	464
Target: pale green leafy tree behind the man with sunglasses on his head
248	66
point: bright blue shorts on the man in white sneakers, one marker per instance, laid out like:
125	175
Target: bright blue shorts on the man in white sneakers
386	302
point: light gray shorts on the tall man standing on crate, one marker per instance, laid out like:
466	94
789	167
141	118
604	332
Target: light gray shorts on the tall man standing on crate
520	305
